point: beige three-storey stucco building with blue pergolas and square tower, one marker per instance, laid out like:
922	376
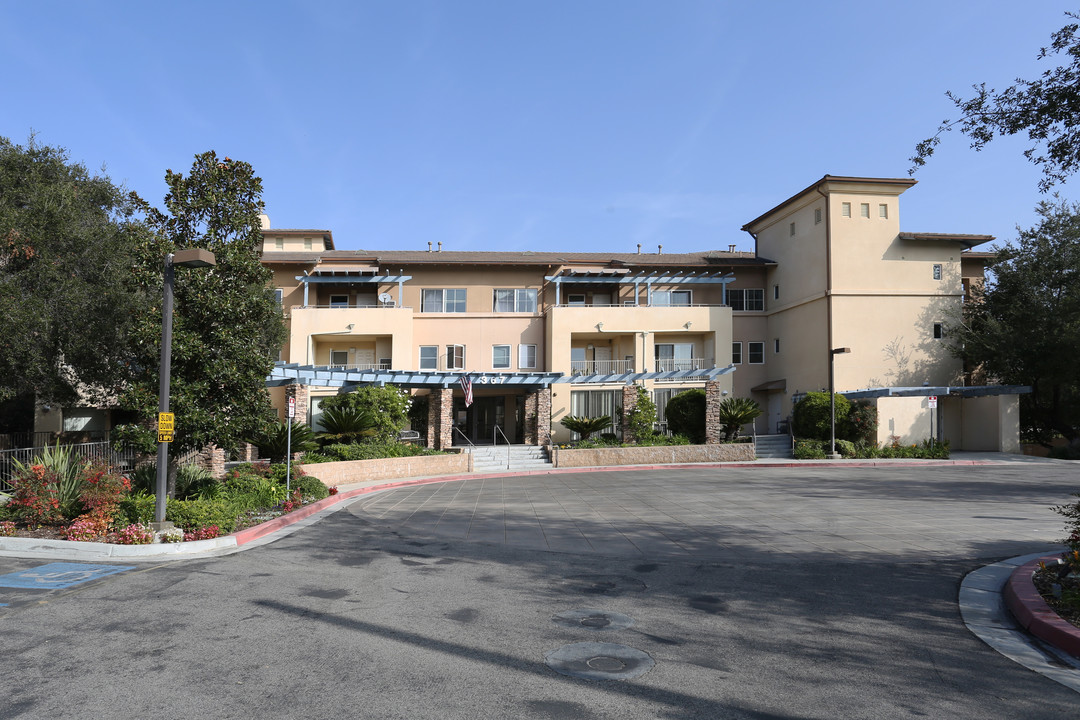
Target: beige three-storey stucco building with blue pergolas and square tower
831	269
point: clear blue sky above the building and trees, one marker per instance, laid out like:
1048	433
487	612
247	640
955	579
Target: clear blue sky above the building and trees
501	125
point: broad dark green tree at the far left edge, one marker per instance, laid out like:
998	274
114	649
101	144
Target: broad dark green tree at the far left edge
65	253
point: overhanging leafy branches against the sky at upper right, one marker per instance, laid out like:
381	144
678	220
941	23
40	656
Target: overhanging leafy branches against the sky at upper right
1047	110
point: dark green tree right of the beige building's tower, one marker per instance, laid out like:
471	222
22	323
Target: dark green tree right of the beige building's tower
1025	328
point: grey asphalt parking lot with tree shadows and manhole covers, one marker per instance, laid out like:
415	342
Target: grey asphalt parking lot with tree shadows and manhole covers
757	593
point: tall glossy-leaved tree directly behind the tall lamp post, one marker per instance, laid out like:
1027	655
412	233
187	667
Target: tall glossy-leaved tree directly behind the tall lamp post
227	328
